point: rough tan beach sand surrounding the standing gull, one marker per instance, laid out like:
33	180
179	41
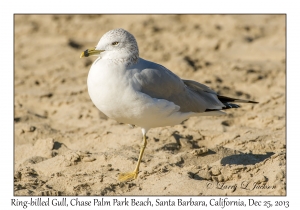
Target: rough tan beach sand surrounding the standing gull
64	146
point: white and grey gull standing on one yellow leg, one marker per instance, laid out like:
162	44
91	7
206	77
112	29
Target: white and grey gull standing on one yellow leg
135	91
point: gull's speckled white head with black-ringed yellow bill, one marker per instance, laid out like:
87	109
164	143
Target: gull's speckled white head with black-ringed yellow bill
117	44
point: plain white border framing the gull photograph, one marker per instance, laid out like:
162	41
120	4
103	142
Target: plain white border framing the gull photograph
8	8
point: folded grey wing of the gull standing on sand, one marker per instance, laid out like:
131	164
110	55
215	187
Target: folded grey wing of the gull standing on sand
158	82
